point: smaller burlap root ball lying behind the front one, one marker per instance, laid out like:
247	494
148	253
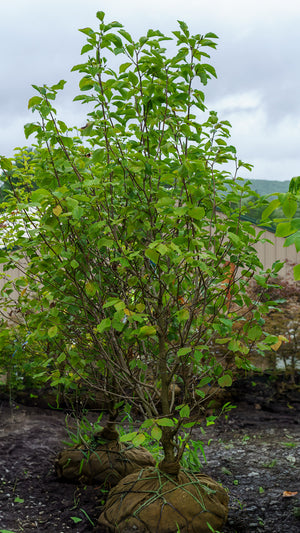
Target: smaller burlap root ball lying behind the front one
106	465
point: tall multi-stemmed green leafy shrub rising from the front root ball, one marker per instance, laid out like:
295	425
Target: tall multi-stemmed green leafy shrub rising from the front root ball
137	259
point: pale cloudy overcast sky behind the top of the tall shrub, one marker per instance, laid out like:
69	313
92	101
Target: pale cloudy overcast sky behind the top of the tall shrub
257	62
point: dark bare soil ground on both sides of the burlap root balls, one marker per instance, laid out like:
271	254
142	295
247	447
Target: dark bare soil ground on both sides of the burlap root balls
254	452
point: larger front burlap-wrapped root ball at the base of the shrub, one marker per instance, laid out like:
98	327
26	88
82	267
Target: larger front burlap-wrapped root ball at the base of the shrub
151	501
